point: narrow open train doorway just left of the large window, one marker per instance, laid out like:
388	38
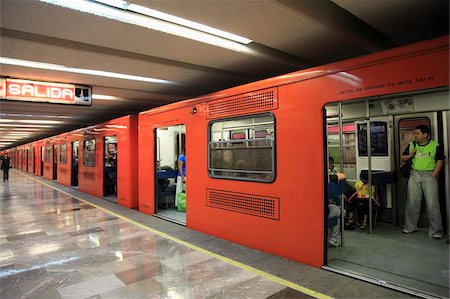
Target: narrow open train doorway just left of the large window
169	143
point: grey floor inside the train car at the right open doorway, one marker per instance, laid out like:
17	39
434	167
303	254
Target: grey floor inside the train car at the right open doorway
413	260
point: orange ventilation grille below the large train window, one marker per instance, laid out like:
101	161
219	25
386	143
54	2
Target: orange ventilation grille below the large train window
256	205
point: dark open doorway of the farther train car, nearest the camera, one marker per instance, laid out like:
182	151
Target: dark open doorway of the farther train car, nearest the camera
110	170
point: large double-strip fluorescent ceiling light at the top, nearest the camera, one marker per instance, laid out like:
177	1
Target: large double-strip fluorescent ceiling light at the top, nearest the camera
175	27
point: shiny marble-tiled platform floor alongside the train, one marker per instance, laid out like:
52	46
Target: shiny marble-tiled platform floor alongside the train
56	242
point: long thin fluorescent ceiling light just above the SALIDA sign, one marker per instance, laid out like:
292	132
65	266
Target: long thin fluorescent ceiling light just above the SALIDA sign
62	68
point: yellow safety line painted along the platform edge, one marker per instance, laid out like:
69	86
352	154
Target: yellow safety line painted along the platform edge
205	251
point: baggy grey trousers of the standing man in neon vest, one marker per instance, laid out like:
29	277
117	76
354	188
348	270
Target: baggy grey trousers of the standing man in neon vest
422	182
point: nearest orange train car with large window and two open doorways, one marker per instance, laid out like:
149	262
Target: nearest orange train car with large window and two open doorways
256	154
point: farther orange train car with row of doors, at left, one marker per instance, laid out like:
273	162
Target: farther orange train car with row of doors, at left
99	160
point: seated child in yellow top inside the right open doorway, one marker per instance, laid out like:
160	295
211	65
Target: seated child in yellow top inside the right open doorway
361	202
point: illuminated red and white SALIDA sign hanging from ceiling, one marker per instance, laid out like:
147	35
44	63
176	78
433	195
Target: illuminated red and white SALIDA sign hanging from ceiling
36	91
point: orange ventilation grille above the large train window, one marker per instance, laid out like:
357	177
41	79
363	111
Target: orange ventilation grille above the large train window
247	103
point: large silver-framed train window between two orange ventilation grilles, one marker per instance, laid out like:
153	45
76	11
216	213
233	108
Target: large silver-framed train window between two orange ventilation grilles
243	148
